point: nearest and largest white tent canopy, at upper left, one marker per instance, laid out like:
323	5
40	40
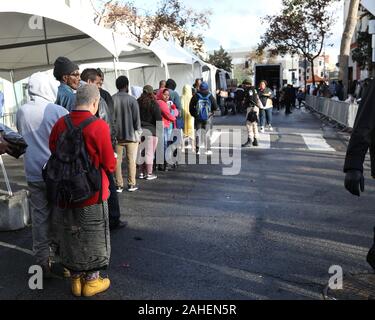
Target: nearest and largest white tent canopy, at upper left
34	33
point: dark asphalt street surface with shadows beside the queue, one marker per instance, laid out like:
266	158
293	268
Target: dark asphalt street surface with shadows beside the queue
270	232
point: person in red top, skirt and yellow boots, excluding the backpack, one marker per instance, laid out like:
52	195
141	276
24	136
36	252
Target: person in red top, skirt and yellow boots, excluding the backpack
85	247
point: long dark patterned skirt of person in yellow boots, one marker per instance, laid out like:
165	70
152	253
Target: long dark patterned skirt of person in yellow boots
84	239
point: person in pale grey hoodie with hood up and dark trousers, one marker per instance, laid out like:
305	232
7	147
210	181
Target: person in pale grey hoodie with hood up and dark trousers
35	120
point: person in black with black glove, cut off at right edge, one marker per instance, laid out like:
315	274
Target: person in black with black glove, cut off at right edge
362	139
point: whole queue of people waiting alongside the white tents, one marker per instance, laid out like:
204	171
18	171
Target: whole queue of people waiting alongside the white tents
79	232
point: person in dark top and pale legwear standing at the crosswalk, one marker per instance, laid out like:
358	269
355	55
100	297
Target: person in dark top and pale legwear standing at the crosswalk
252	104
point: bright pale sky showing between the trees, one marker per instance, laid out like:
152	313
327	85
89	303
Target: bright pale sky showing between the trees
237	24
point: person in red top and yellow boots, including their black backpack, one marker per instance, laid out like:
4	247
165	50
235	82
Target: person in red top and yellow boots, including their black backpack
76	179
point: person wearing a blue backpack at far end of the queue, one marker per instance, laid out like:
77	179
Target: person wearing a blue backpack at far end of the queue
202	107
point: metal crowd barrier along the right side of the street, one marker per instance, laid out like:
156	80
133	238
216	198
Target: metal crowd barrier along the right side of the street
342	112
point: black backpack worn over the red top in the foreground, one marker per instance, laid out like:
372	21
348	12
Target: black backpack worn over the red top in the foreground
69	174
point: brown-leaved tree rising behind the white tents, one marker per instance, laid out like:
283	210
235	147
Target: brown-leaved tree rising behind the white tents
171	19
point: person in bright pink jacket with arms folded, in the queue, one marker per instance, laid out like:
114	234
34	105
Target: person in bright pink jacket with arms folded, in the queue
169	113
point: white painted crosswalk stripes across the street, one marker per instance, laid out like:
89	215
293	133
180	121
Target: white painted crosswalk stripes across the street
301	141
